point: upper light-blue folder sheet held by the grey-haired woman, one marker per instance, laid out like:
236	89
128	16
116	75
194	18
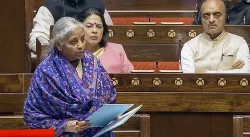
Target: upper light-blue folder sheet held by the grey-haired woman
107	113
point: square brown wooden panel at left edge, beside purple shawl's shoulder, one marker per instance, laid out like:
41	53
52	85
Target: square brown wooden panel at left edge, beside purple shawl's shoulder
11	83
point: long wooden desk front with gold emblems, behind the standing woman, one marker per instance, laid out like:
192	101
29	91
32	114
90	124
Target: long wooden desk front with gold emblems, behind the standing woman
182	105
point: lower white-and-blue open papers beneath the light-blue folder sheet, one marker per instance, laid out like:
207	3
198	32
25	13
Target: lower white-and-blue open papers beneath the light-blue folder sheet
121	120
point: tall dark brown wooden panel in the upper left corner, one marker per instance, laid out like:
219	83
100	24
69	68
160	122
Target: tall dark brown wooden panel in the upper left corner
13	53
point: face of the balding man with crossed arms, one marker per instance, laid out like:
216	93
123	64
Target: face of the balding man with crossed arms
213	17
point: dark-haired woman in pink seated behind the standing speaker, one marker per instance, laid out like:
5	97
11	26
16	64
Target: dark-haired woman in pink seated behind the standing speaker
111	55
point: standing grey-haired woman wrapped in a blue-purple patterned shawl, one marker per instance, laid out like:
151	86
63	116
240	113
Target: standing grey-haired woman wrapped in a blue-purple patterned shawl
68	86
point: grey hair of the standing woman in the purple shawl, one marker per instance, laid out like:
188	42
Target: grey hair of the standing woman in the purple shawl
62	29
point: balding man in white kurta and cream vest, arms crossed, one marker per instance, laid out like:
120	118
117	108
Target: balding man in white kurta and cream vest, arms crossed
215	50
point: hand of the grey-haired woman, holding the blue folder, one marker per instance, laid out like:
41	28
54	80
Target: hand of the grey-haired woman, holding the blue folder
75	126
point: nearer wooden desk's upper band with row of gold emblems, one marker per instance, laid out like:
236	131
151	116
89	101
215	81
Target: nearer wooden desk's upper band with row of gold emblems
11	83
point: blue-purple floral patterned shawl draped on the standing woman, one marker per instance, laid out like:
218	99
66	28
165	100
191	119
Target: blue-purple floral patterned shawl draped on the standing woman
57	94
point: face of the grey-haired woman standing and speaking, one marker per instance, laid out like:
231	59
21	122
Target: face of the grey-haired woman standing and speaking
72	47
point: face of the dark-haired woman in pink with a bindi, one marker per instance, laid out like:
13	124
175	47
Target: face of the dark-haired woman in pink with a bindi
93	29
